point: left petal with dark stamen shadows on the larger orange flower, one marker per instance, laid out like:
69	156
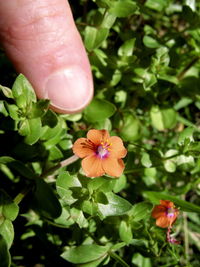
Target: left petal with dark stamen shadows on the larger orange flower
81	149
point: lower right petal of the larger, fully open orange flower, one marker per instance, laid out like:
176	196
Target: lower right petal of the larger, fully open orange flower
113	166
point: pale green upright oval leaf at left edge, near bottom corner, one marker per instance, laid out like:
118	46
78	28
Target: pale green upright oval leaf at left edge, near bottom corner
7	231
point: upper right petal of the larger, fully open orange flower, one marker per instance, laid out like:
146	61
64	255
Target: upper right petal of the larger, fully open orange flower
117	148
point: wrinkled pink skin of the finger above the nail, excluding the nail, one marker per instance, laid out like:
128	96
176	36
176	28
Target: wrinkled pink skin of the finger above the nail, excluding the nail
37	36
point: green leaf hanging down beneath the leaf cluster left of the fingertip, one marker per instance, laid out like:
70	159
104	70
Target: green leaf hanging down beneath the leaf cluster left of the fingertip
35	131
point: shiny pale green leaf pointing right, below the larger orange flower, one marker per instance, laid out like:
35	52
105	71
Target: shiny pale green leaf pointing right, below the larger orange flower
116	205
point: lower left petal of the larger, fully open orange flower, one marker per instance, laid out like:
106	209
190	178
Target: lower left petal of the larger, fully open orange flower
92	166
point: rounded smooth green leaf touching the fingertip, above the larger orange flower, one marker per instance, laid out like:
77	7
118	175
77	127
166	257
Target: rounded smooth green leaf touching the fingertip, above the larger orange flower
99	110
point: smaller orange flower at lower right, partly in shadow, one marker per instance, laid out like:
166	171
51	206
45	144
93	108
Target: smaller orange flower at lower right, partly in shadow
165	213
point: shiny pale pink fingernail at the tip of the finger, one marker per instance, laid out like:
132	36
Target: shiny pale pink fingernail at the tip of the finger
69	90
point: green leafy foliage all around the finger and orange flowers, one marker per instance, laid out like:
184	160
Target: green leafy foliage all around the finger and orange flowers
145	61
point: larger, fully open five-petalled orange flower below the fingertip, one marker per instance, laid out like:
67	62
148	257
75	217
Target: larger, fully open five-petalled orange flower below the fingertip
101	153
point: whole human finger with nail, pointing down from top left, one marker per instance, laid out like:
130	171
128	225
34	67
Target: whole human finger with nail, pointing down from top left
42	41
